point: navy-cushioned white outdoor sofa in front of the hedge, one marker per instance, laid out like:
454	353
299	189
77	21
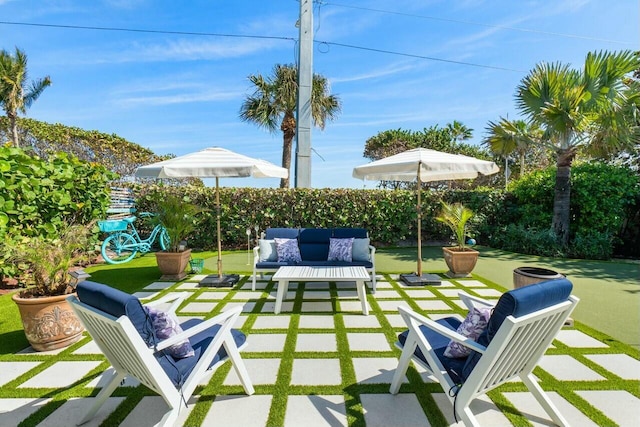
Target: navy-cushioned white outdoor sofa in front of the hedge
313	245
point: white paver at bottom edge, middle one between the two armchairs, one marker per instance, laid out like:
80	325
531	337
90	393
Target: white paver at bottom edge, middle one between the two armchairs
315	411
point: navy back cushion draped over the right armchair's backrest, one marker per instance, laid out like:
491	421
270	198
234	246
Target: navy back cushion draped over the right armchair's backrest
519	302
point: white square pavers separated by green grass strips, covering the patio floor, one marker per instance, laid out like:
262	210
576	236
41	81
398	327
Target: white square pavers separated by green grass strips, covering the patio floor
326	364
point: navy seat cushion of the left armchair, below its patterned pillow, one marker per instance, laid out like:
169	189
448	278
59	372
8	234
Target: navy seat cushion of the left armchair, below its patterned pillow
178	370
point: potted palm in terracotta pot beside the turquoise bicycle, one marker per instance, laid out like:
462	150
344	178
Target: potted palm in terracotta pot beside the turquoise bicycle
179	217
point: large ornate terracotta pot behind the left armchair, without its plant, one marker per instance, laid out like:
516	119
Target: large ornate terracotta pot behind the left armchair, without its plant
49	322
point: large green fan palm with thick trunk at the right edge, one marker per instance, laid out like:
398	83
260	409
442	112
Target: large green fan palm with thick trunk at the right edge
589	109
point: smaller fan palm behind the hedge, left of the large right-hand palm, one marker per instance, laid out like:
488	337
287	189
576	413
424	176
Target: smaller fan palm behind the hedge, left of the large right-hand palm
509	136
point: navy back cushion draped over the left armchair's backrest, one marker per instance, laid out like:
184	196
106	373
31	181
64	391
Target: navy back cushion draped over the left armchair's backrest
117	303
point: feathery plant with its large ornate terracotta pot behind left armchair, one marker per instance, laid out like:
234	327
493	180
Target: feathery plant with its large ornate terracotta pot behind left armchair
48	321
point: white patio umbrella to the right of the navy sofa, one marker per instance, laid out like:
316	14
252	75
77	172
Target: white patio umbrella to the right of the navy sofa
424	165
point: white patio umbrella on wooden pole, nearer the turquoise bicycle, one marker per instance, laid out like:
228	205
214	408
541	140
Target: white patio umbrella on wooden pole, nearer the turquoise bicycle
213	162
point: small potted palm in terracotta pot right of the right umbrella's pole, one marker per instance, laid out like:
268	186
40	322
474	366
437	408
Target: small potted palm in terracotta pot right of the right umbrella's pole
460	259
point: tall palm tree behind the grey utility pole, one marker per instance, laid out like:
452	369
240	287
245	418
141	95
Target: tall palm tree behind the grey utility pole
273	102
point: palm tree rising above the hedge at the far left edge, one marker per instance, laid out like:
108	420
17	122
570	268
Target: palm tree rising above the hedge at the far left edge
15	95
